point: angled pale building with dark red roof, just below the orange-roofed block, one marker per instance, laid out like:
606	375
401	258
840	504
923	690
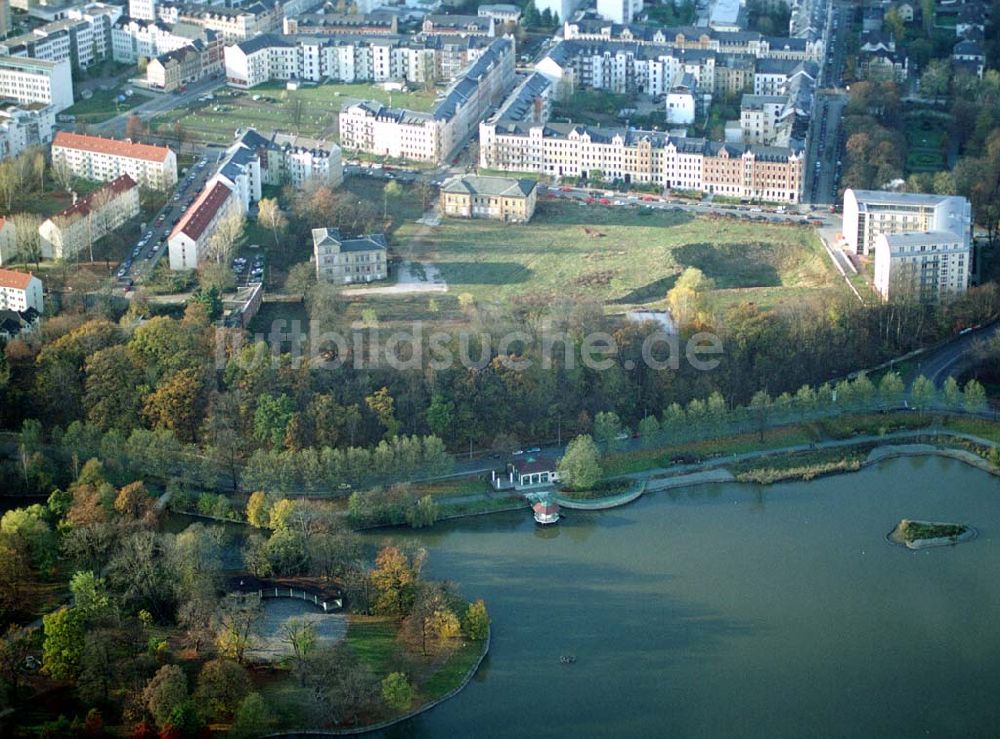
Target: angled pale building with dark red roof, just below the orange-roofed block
90	218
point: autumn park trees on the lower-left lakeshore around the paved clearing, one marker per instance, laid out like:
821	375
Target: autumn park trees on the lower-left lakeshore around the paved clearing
155	639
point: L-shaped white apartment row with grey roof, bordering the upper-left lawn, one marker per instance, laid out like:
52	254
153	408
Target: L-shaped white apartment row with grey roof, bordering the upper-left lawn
433	136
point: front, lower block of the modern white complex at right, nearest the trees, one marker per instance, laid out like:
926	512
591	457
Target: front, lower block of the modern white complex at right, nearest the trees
925	266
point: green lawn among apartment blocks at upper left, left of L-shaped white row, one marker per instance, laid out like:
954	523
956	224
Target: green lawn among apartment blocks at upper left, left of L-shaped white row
277	109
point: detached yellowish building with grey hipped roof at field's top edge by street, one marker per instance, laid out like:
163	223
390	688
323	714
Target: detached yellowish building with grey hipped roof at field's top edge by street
497	198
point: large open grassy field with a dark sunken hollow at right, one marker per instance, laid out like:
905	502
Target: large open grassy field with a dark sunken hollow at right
624	256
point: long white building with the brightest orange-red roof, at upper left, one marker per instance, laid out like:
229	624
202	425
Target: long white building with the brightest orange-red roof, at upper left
104	159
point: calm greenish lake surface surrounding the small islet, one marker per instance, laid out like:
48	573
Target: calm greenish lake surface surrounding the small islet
733	610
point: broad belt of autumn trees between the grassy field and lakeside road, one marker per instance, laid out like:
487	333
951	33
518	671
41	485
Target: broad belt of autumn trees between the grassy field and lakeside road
152	395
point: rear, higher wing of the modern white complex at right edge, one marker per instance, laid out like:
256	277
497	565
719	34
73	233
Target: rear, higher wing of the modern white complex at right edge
870	213
